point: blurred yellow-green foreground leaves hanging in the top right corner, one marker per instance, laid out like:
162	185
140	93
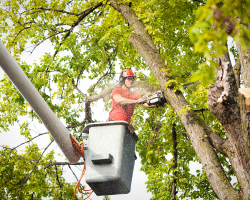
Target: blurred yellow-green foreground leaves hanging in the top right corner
216	21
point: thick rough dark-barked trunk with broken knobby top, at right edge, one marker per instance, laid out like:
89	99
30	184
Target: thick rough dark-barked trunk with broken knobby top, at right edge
223	103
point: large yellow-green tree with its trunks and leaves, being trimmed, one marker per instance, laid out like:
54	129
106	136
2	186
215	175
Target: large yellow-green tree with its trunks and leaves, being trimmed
182	43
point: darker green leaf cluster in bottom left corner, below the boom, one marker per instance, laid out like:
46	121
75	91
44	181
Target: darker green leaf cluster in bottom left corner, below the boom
47	182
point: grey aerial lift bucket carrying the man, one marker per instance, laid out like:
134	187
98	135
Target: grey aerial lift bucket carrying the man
110	157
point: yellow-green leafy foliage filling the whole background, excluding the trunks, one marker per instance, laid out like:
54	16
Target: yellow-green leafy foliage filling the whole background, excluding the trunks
95	46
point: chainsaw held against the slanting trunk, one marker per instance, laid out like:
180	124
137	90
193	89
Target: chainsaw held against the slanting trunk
156	98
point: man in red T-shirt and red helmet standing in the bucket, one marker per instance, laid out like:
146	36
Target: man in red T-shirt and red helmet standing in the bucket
123	100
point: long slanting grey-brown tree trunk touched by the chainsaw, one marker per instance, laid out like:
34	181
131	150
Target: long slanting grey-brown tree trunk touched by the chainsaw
197	130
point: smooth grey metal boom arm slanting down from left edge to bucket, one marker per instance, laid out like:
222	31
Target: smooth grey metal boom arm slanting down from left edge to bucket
29	92
